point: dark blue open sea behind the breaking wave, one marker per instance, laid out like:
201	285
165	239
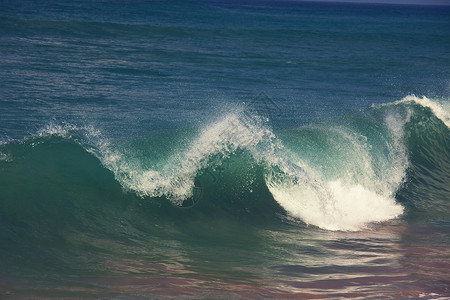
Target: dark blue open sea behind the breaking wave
199	55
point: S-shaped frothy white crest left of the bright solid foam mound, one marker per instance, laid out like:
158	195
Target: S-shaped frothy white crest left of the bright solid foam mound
176	179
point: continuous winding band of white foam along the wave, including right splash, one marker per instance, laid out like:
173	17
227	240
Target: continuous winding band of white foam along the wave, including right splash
363	192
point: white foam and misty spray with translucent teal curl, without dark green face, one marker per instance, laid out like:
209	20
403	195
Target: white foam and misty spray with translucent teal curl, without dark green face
350	182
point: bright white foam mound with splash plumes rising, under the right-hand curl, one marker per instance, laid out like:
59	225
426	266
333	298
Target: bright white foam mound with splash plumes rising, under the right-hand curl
363	193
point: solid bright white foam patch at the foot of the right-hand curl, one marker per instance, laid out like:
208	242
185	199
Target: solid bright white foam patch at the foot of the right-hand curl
340	207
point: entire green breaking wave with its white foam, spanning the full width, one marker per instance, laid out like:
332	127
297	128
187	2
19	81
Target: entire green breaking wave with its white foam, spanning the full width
371	166
